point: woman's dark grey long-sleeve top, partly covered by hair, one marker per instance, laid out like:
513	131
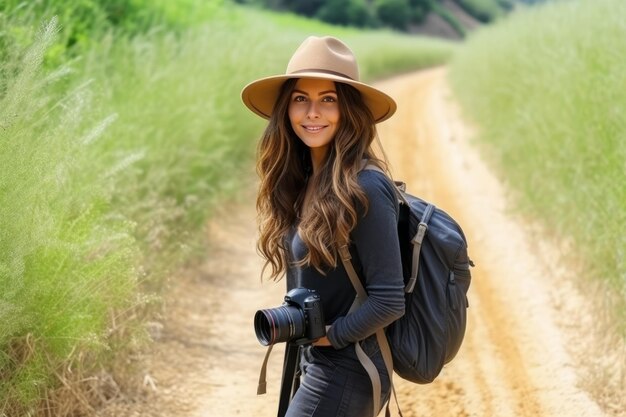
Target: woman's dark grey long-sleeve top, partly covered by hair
375	254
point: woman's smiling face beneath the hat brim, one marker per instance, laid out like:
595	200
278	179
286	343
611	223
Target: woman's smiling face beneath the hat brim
314	113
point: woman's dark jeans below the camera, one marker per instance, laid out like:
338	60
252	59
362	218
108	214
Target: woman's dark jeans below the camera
335	384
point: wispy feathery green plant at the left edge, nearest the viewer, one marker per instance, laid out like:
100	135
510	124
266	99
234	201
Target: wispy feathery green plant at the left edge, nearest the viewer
64	260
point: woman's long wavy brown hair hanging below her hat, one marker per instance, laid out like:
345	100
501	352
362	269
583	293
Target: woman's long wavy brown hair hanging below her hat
284	168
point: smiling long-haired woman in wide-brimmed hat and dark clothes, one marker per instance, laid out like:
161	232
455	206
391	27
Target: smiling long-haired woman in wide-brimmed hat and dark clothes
314	199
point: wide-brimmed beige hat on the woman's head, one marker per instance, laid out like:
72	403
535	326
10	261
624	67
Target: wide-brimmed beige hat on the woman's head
327	58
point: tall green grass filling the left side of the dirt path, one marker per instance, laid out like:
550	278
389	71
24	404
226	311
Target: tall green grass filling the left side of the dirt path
111	159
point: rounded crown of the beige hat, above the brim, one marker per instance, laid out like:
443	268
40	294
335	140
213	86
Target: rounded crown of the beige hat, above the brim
324	54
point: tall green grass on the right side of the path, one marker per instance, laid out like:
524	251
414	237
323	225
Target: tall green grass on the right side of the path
546	88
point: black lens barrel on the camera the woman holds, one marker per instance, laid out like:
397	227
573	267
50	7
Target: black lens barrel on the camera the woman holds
279	324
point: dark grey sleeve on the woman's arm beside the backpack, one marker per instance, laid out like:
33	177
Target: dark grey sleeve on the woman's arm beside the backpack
375	251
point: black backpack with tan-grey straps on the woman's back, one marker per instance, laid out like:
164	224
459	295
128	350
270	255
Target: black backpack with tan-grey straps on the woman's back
436	269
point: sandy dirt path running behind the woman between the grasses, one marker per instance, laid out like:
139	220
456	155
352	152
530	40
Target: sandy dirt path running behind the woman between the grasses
514	361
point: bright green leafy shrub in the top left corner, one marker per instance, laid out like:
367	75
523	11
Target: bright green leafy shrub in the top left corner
86	21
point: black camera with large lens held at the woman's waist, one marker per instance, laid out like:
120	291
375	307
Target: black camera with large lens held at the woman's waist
299	320
